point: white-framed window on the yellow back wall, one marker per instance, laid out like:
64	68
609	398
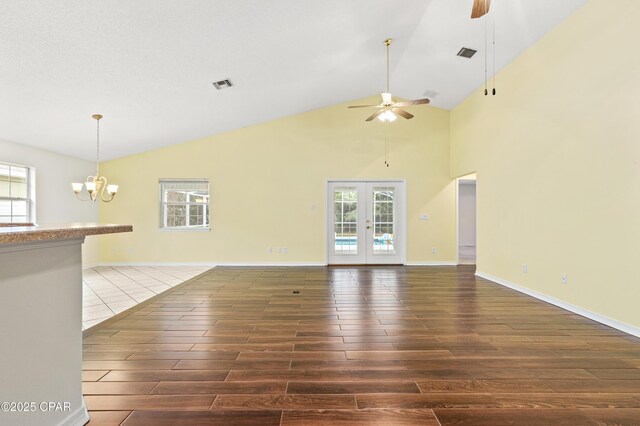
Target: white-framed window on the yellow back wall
184	204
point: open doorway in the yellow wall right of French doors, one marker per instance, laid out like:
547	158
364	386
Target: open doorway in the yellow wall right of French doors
467	220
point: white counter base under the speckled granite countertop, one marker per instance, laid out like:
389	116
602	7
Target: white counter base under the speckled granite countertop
41	333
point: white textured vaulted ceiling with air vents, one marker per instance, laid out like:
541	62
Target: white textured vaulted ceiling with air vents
148	65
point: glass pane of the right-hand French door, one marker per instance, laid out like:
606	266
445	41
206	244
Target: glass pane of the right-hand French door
383	221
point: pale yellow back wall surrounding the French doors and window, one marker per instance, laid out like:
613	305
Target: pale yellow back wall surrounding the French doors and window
265	179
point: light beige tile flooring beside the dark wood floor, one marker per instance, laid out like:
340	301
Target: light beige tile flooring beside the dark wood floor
109	290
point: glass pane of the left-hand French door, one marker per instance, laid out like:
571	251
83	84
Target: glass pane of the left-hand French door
345	220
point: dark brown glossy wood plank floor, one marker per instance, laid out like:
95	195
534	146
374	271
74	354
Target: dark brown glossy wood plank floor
365	345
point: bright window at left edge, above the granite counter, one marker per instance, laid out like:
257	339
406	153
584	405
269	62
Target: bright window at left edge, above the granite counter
15	194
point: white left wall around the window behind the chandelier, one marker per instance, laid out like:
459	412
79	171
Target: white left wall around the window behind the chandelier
55	202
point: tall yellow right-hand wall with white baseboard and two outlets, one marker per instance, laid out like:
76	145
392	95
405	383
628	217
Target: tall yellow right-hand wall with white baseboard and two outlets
557	156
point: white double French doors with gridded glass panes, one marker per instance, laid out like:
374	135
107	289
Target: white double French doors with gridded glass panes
365	222
